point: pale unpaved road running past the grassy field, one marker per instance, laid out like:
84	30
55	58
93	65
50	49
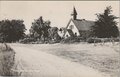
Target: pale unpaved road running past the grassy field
34	63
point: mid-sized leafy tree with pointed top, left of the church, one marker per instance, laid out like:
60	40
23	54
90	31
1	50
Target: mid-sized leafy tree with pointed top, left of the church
39	28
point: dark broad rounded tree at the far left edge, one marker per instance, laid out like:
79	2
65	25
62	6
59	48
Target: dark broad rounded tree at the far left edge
11	30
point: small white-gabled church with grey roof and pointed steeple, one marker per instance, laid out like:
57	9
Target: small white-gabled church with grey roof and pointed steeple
78	27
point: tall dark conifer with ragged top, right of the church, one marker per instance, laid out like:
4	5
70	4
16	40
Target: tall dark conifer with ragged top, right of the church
105	26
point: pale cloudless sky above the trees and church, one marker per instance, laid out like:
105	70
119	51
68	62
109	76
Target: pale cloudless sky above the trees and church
58	12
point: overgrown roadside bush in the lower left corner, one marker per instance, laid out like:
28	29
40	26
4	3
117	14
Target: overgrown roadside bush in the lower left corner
7	56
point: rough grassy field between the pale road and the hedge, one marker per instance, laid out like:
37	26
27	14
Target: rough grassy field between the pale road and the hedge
104	58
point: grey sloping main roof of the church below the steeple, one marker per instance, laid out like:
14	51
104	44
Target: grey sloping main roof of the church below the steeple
83	25
